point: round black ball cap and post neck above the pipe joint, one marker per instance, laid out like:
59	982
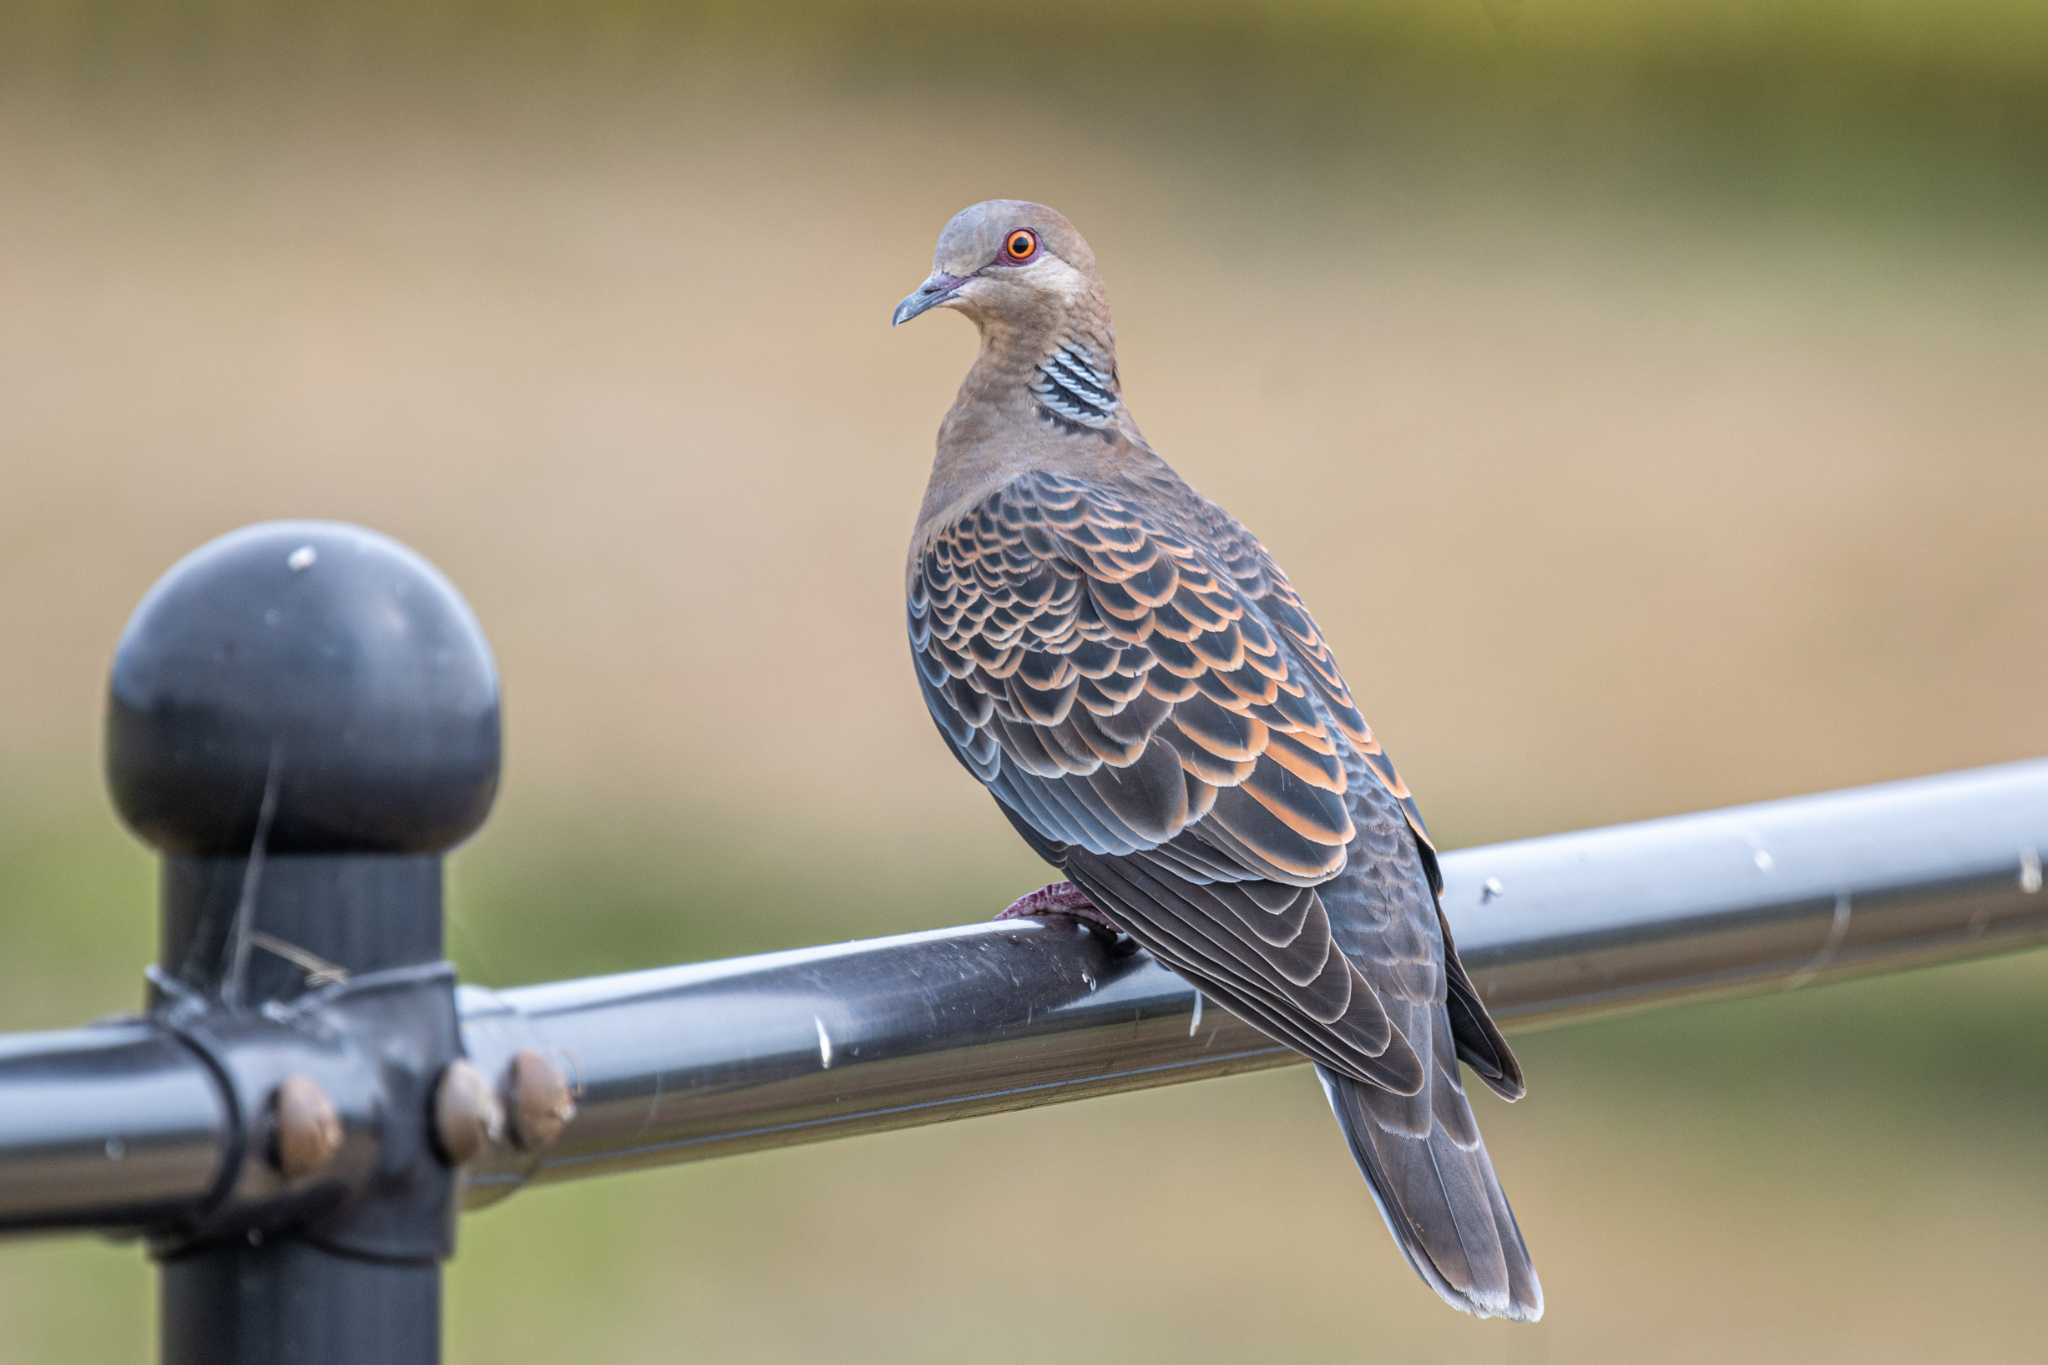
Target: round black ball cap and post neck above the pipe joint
321	701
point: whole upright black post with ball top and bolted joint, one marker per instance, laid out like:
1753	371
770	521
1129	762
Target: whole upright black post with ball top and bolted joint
304	719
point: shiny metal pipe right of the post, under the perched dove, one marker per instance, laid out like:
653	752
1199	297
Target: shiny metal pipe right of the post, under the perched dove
828	1043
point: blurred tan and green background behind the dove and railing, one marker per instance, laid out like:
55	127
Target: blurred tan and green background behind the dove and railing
1648	394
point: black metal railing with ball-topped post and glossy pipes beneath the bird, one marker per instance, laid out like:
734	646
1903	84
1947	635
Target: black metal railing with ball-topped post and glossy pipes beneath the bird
306	717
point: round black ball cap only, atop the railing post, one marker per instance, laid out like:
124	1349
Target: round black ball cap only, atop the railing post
316	656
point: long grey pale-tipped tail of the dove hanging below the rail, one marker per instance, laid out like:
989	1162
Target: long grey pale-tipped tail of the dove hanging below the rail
1431	1176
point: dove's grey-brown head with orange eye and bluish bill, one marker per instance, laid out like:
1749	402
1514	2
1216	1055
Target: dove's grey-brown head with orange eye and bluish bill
1011	267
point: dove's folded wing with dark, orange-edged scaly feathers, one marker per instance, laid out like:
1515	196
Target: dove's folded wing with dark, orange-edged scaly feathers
1170	740
